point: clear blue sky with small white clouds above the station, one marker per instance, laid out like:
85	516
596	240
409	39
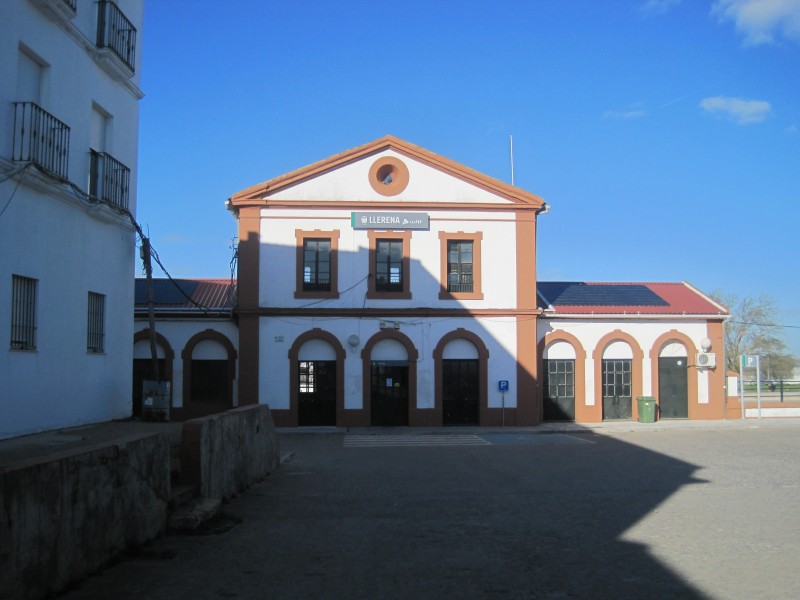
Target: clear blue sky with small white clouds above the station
665	134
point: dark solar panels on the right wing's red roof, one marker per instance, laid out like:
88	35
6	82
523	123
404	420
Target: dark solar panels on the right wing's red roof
582	294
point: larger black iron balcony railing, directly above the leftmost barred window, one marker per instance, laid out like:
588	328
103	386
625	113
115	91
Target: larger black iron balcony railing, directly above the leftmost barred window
40	138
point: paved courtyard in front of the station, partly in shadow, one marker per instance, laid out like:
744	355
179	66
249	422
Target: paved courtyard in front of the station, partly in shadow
471	513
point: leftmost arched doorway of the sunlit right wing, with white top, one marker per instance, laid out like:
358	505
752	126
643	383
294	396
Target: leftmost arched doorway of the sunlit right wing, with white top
558	374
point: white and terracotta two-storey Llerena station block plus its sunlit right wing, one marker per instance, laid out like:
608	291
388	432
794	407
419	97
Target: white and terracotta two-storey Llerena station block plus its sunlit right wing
388	285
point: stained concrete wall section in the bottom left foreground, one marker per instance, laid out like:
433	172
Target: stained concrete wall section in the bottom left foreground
64	516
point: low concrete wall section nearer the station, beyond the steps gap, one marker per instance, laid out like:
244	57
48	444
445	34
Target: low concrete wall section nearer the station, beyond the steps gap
225	453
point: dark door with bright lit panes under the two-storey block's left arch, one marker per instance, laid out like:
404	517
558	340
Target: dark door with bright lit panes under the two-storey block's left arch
317	392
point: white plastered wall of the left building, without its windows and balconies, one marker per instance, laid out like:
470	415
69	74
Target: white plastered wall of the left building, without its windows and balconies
49	234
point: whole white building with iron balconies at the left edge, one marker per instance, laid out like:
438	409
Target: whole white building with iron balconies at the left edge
69	106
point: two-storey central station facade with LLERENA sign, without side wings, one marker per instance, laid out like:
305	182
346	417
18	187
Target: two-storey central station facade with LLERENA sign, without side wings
382	341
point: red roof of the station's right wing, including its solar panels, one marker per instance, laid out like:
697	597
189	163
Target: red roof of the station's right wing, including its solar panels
671	299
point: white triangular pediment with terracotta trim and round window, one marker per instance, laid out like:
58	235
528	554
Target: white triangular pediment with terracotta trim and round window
387	170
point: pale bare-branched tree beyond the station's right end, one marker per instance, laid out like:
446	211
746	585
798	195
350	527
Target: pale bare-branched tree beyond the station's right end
752	330
